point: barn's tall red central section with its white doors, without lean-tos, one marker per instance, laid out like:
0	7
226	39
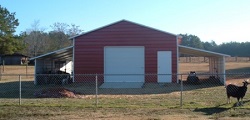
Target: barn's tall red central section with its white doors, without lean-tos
125	51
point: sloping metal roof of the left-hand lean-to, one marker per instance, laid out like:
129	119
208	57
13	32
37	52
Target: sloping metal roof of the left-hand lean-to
61	54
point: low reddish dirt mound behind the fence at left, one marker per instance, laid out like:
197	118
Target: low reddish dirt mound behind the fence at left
58	92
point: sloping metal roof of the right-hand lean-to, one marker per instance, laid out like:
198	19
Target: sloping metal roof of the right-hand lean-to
199	52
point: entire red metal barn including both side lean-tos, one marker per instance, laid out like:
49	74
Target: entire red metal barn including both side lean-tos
125	52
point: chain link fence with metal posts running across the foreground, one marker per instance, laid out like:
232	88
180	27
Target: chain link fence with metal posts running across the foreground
92	90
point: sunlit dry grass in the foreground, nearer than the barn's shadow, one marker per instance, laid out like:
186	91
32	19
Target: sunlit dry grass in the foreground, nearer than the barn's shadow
205	103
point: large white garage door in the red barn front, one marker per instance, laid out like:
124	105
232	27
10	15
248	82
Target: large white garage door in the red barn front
124	64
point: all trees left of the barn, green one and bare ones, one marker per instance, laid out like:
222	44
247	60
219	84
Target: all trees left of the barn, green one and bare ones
35	40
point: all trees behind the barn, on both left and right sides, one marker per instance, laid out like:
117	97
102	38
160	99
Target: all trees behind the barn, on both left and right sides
36	41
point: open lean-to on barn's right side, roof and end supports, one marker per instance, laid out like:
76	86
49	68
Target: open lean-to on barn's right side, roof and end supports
216	60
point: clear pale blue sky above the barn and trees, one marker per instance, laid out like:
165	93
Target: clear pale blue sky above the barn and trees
219	20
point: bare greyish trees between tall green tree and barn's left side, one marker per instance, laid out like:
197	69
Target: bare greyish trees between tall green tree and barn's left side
38	42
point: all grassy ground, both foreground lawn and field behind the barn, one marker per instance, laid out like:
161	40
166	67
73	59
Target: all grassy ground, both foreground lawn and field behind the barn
152	102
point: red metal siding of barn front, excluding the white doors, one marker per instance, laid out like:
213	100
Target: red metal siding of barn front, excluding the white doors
89	48
